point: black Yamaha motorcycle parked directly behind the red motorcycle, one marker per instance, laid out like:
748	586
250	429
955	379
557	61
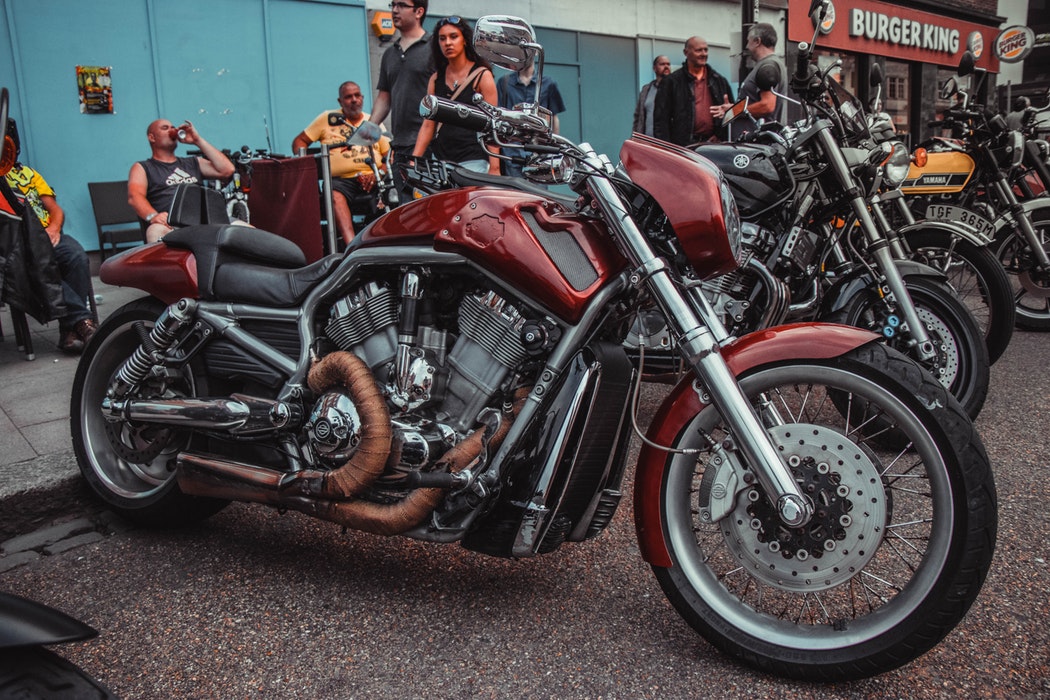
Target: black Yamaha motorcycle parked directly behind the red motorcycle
818	246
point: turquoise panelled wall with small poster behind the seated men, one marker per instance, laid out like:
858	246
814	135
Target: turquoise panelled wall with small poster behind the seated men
234	68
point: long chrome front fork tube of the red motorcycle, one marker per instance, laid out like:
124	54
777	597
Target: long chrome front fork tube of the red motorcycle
701	349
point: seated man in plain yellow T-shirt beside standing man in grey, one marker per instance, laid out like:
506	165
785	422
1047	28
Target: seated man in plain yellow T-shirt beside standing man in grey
352	177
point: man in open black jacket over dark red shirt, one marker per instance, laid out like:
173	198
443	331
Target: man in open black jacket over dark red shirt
691	101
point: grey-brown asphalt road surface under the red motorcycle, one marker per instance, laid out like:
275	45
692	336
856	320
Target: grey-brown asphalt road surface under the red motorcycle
258	605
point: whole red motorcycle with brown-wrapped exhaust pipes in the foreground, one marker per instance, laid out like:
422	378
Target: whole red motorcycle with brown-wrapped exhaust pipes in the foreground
458	376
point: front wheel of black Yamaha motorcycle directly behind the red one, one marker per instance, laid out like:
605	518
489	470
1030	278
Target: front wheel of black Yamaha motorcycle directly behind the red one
961	362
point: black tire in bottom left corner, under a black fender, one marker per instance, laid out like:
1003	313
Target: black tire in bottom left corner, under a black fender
37	674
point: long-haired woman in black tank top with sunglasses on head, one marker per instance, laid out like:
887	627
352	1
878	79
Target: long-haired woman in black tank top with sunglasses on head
459	74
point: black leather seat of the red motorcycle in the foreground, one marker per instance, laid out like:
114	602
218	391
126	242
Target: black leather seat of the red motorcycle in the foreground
249	266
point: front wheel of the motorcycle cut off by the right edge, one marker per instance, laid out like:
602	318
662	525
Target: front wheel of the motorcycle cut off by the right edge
1032	288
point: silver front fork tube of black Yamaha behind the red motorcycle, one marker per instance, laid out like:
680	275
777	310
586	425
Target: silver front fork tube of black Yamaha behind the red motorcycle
878	246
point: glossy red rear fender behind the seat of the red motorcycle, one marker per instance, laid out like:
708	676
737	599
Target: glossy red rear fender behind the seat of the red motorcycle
166	273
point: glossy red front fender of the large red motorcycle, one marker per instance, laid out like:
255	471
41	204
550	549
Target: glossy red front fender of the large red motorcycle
802	342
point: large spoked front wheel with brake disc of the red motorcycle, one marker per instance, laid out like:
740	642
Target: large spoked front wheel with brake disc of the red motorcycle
879	589
